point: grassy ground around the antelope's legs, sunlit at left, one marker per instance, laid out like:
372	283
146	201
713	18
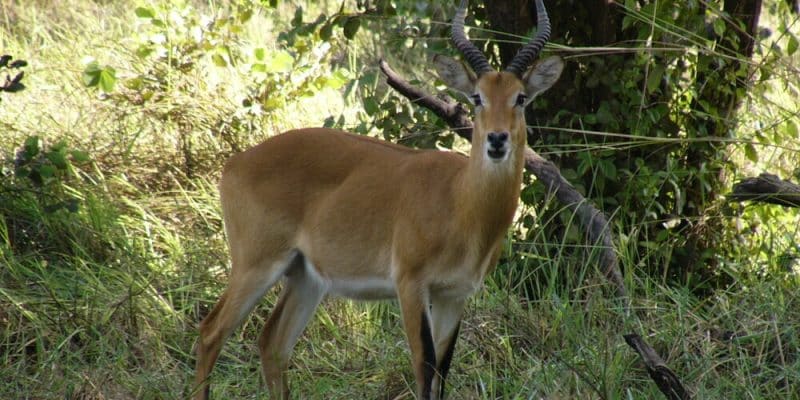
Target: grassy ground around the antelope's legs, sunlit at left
104	303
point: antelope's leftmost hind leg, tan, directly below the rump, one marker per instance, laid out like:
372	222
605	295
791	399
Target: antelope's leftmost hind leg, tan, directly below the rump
246	287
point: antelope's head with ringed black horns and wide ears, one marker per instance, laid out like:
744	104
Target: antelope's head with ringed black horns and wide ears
499	97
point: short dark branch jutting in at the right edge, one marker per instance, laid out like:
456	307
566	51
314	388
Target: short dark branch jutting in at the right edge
767	188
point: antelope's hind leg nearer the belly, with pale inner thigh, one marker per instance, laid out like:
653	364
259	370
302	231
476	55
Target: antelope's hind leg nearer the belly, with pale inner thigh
301	295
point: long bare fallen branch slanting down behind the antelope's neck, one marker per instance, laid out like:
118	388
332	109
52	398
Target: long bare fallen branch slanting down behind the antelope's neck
457	117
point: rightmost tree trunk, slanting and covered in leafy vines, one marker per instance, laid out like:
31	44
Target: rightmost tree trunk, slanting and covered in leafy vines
720	92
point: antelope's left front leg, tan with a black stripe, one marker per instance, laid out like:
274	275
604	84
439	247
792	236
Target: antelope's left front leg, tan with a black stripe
416	321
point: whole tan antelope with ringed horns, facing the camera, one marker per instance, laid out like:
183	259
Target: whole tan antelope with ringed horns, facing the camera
333	213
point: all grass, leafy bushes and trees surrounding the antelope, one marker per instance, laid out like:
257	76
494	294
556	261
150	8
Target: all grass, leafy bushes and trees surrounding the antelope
111	242
